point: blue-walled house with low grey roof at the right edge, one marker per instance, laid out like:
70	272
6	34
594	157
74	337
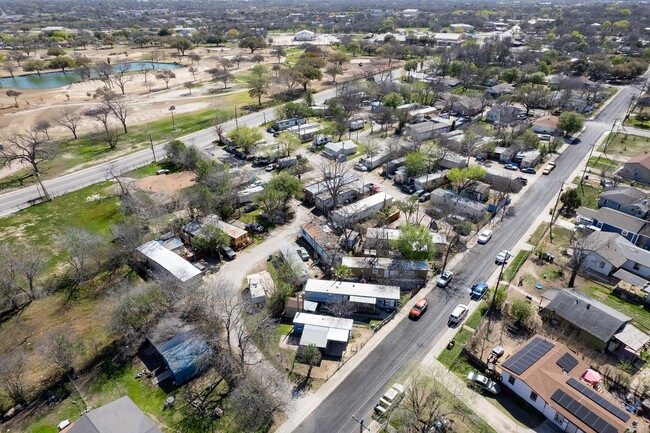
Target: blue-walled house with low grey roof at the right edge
605	219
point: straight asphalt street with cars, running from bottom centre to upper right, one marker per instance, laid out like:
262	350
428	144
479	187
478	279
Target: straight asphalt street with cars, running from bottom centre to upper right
408	342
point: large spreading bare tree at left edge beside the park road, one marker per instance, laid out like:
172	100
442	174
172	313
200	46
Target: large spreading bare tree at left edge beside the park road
31	148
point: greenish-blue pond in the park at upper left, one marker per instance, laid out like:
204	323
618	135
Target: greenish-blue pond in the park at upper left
51	80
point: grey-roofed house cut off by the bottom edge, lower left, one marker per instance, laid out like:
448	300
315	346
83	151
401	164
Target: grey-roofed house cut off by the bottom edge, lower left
118	416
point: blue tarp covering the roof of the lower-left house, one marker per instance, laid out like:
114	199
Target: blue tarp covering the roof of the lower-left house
182	355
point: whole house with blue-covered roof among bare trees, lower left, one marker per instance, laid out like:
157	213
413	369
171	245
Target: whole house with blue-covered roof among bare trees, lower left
182	357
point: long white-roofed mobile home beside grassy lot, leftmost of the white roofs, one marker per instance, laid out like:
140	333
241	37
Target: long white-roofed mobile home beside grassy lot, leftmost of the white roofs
160	259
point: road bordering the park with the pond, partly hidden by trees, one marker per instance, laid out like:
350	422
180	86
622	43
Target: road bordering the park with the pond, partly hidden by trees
14	200
